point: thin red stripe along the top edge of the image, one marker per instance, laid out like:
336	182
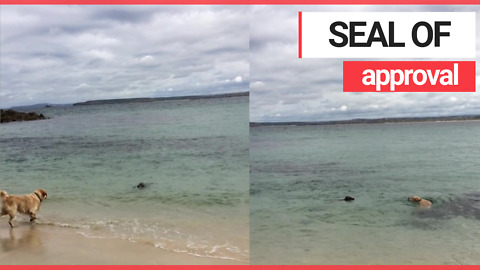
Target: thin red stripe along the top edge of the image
240	2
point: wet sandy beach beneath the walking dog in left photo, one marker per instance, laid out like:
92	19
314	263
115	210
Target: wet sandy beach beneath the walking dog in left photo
39	244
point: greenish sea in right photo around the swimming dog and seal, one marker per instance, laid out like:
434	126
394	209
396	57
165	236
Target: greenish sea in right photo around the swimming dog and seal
300	175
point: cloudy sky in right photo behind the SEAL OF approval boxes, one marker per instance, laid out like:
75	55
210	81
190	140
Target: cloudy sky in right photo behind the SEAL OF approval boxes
285	88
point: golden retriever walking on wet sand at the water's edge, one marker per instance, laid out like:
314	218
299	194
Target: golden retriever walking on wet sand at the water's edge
27	204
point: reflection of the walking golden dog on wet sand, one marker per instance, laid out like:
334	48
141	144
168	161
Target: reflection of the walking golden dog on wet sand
27	239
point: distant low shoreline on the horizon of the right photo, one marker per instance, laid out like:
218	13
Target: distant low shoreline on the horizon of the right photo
372	121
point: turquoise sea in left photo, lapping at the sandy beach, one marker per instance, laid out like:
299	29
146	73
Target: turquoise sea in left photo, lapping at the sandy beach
192	155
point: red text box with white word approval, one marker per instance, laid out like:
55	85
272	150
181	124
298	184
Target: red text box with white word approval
409	76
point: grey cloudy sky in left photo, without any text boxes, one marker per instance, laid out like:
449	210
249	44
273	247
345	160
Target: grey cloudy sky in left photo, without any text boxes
67	54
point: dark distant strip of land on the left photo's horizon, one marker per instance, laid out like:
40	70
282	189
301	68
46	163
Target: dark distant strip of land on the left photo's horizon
141	100
